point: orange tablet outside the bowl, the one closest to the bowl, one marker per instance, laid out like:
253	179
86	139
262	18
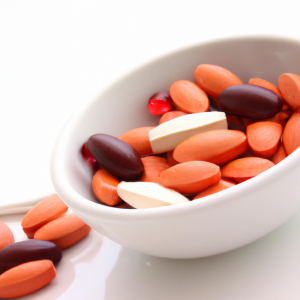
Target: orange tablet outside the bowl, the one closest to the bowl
64	232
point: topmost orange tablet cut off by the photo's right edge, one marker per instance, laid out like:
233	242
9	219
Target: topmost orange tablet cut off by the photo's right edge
289	86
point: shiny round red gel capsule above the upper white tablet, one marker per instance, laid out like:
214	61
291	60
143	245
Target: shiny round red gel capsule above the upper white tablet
160	103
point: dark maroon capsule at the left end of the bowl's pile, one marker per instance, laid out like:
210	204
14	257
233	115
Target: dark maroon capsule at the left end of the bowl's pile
116	157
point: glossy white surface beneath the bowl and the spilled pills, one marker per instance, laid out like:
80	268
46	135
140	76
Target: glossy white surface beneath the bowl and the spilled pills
99	269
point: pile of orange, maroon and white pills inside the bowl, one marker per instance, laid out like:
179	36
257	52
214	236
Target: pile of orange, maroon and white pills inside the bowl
212	135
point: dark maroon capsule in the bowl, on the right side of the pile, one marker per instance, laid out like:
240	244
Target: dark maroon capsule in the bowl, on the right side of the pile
250	101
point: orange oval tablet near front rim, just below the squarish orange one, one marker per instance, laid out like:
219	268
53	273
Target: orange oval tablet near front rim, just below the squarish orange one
246	167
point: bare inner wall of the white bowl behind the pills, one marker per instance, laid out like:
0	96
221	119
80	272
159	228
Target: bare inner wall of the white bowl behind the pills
123	105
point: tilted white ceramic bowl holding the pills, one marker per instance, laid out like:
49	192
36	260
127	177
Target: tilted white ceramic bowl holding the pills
212	225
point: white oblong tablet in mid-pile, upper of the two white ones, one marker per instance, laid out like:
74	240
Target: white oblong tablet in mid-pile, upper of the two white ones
166	136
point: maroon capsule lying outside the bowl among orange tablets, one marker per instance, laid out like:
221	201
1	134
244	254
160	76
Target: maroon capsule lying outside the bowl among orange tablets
21	252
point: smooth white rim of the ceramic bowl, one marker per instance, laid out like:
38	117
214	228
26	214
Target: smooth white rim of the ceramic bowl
108	213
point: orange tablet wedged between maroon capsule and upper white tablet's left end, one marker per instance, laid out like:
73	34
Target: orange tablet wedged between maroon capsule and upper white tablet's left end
138	139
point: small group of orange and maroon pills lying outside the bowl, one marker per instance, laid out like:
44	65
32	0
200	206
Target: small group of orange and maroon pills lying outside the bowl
28	265
